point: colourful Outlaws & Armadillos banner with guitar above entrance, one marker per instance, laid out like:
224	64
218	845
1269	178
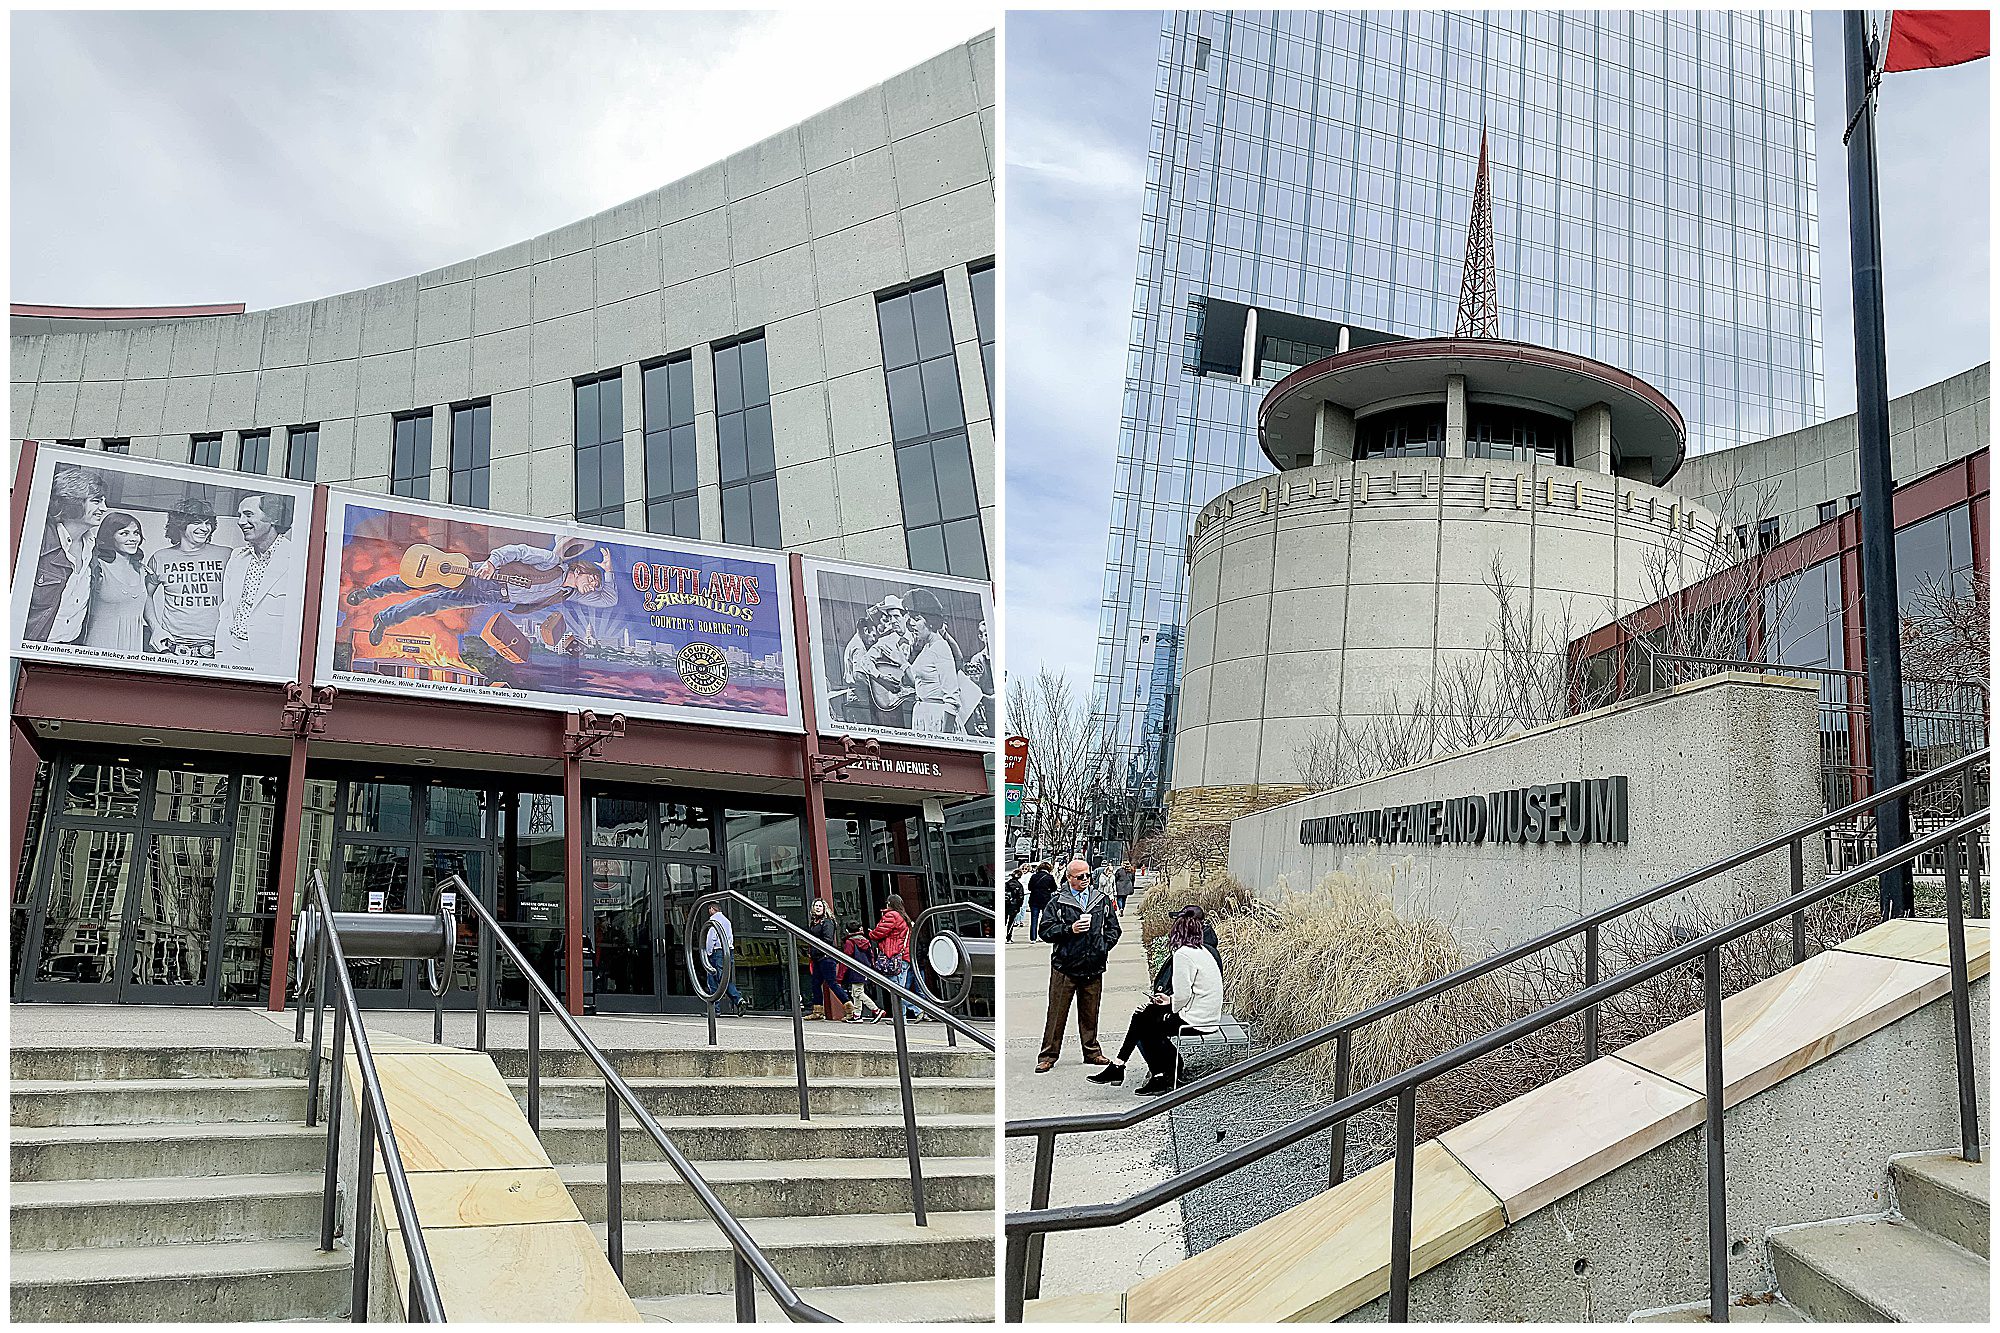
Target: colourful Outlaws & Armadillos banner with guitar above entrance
539	613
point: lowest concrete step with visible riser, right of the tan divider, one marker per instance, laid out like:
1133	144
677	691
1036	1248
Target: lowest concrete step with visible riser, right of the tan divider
691	1258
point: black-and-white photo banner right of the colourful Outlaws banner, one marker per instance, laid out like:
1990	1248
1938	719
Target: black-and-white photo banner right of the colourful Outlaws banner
901	655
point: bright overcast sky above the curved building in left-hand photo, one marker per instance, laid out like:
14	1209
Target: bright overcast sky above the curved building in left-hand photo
165	159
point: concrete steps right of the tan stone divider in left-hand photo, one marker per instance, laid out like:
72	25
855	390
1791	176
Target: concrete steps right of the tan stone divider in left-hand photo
829	1200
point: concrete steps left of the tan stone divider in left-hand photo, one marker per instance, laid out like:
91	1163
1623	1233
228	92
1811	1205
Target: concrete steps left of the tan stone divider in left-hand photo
167	1184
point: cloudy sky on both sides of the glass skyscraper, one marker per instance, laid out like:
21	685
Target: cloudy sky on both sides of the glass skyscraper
1079	109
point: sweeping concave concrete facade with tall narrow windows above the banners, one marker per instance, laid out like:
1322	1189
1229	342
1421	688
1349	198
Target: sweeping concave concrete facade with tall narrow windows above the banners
793	237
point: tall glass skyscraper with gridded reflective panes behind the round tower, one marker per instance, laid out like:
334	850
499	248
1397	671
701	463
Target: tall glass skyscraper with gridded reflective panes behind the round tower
1655	207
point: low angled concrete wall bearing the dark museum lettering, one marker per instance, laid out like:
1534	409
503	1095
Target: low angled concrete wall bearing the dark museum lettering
1521	836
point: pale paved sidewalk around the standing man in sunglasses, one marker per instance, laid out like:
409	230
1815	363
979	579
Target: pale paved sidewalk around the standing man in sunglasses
1095	1168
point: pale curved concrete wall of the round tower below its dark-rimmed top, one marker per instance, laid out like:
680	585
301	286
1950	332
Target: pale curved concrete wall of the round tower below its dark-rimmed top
1339	591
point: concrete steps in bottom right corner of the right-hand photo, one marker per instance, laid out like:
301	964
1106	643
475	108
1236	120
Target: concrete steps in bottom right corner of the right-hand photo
1925	1262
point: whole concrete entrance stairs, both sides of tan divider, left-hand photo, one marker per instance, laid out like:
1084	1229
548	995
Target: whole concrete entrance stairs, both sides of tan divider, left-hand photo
157	1184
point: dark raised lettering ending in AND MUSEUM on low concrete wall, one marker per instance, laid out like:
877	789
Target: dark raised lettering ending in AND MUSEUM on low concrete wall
1589	812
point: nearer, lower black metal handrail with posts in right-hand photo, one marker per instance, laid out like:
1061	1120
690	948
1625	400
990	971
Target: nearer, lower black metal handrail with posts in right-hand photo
1027	1230
